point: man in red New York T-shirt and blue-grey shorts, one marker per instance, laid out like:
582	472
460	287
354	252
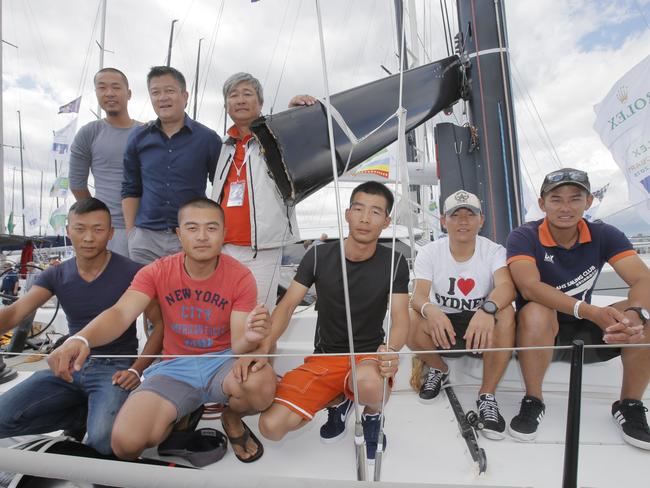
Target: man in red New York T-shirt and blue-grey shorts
207	300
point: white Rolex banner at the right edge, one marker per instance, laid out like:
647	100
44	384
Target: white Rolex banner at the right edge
623	123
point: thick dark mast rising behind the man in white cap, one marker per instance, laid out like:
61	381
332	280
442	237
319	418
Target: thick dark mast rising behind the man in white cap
482	27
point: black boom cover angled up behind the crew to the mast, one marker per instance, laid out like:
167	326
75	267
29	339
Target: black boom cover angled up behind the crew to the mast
296	142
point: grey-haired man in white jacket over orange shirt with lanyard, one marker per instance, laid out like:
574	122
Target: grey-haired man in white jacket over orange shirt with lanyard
259	223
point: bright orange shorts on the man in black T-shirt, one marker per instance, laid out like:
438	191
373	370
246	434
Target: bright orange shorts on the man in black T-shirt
313	385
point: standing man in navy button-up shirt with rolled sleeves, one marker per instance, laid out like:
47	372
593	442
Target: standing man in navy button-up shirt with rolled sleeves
167	162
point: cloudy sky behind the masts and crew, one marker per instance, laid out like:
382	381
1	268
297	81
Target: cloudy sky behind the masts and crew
566	57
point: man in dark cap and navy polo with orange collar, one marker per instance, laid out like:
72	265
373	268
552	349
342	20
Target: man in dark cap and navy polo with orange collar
555	263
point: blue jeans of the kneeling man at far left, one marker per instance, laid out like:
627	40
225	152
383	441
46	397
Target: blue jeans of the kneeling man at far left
44	403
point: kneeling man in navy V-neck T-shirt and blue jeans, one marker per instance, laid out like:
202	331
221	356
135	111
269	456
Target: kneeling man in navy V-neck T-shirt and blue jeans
85	286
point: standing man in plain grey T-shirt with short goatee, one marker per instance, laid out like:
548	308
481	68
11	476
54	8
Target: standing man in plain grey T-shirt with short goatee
99	147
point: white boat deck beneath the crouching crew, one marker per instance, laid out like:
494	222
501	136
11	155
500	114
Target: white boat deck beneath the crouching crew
424	443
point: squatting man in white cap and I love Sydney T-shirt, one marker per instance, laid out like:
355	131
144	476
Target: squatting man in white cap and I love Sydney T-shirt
462	299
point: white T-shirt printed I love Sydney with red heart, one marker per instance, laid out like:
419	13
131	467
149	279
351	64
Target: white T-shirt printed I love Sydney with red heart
458	287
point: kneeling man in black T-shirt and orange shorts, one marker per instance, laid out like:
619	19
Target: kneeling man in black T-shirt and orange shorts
323	380
